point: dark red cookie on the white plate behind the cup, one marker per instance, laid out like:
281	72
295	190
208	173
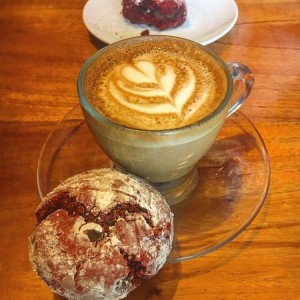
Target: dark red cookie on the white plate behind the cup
162	14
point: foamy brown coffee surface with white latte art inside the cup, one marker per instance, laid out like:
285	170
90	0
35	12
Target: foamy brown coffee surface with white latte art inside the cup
155	85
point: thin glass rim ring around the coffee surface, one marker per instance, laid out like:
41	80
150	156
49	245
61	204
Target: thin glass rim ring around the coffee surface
100	117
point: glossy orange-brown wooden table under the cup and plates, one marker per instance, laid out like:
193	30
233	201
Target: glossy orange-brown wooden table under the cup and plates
42	48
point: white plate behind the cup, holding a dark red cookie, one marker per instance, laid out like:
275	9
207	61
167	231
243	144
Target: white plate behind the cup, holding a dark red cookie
206	22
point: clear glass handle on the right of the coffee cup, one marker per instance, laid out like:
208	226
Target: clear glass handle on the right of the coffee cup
243	80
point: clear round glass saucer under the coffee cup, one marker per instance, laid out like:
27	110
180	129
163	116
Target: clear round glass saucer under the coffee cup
233	180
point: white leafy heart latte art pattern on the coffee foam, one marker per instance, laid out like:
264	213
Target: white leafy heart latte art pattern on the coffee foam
153	88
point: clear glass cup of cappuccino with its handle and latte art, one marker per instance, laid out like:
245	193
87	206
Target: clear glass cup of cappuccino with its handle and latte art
155	105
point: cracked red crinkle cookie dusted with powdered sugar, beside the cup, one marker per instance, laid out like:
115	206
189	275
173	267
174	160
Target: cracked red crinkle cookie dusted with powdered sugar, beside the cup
100	234
